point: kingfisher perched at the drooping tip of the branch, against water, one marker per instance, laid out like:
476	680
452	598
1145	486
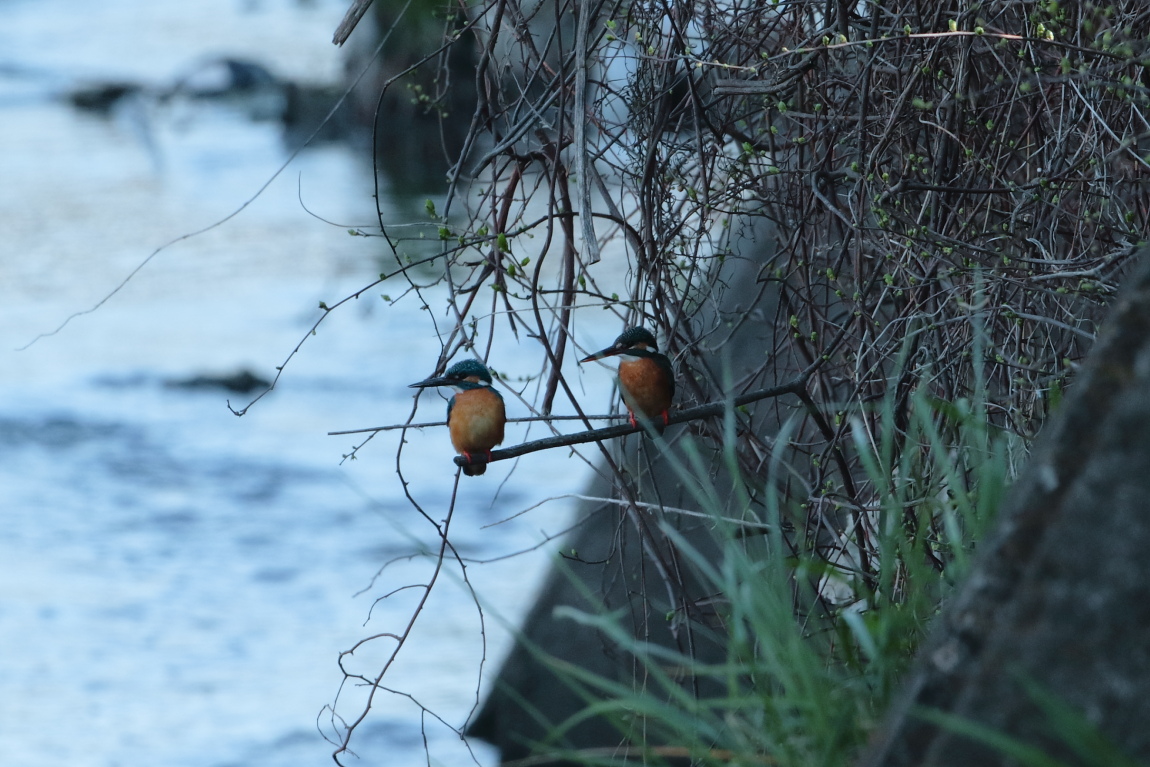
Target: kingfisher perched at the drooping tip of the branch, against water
476	415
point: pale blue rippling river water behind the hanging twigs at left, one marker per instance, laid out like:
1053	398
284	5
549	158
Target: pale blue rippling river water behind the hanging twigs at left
177	584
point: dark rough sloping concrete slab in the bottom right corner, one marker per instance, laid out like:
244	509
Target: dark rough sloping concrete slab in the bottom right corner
1062	593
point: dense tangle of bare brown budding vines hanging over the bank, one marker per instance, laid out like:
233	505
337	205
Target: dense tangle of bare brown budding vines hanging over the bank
950	193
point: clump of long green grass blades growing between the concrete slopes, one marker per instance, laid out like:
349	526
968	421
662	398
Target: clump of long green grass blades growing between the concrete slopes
815	647
